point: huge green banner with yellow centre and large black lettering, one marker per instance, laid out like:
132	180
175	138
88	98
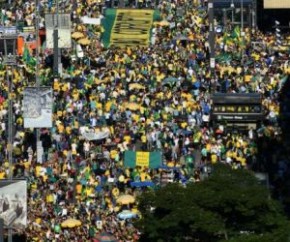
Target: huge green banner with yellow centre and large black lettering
128	27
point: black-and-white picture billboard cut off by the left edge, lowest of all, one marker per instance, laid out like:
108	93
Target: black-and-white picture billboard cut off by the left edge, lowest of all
13	203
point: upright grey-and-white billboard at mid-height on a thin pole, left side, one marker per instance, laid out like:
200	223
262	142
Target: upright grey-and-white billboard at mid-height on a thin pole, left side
37	107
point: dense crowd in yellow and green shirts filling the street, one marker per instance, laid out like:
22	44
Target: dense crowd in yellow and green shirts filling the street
154	98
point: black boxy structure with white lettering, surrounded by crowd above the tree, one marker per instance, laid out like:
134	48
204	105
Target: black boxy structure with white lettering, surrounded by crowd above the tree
238	109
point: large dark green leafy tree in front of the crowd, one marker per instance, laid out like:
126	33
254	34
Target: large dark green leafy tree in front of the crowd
230	205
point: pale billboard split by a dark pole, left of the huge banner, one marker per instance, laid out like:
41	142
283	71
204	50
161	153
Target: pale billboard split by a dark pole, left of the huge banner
64	30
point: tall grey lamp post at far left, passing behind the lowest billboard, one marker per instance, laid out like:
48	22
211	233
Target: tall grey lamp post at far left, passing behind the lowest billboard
9	40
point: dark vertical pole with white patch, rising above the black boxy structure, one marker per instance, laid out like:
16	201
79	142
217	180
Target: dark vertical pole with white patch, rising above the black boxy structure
211	39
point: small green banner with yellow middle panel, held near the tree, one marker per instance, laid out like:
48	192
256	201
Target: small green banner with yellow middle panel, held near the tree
143	159
